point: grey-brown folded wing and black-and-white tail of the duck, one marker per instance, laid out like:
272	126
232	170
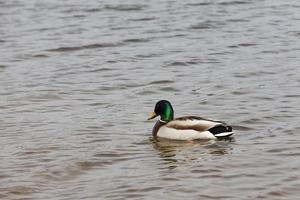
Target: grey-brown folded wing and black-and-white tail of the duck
200	124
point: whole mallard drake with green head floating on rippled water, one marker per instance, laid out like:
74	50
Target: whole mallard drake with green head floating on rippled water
185	128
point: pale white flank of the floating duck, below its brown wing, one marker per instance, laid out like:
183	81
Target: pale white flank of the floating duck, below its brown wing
171	133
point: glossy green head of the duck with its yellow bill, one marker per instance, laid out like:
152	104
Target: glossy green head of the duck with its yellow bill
163	109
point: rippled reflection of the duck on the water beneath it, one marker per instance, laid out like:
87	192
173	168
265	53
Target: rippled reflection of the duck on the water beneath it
175	153
